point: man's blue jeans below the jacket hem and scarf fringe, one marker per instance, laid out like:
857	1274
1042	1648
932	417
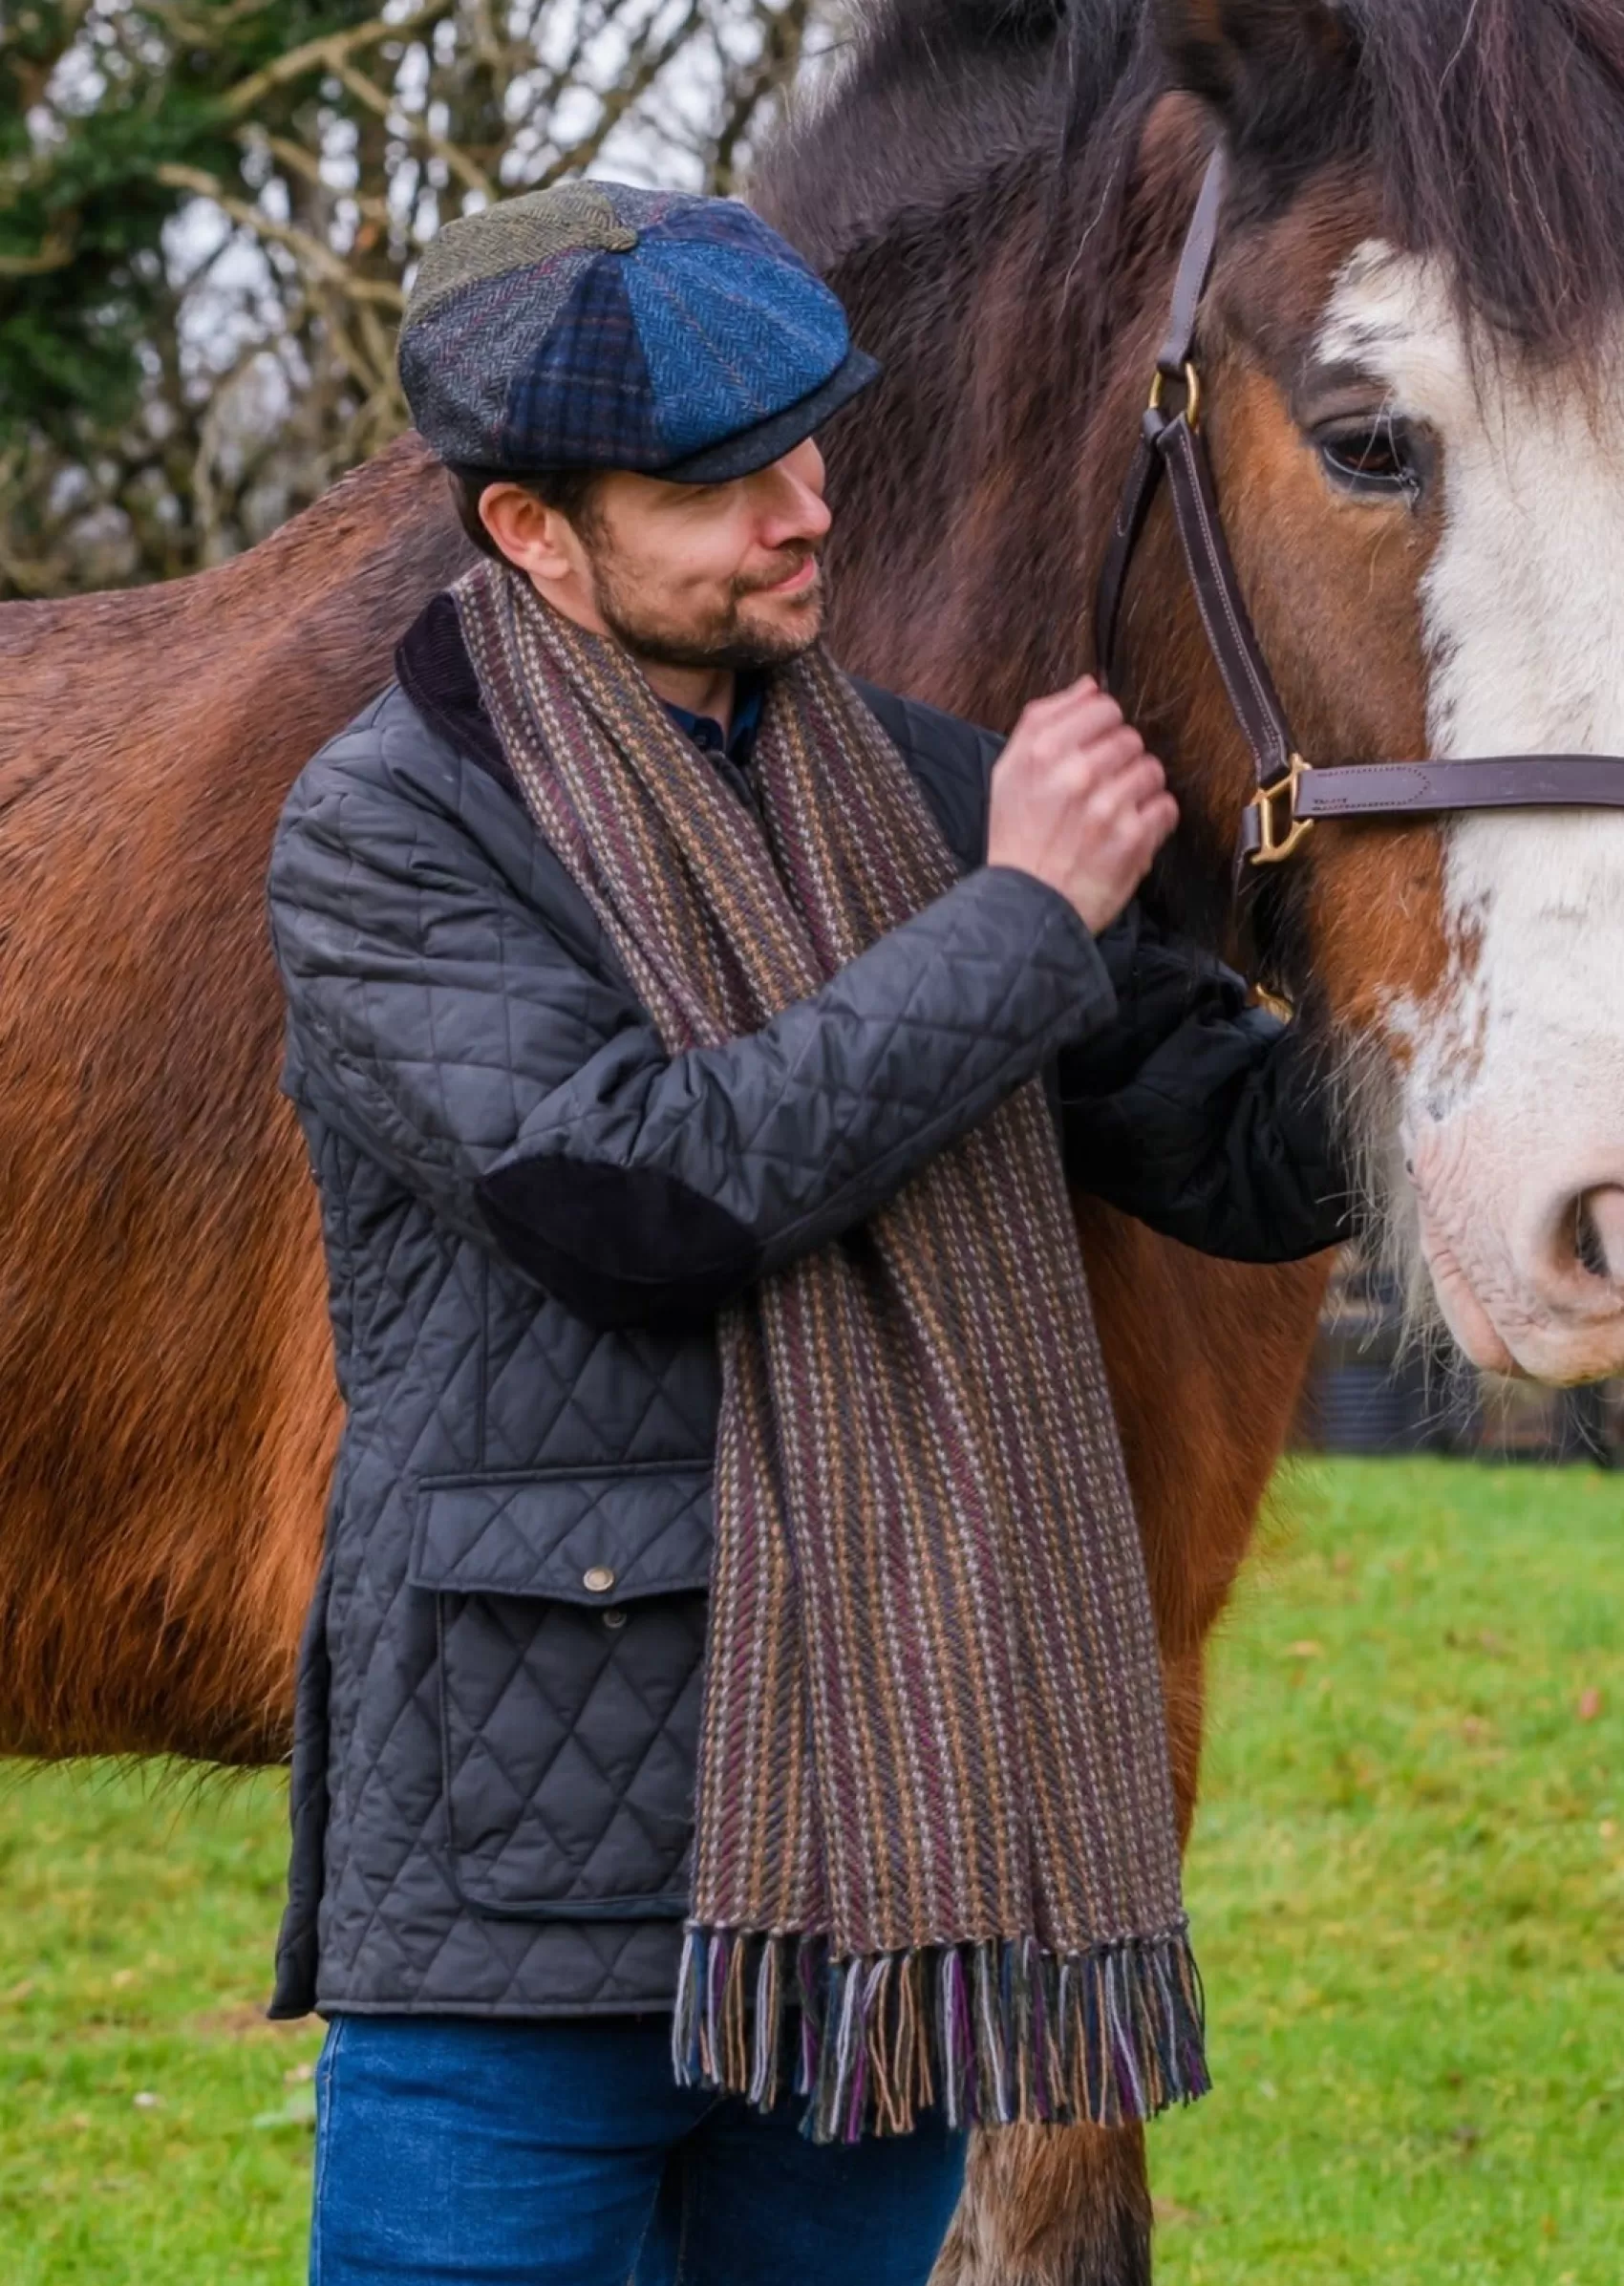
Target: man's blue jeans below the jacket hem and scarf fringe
564	2155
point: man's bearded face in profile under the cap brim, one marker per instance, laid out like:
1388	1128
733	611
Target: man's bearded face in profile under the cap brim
710	575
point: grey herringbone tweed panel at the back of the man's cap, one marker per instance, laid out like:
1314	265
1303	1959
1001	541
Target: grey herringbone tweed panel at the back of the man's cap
463	358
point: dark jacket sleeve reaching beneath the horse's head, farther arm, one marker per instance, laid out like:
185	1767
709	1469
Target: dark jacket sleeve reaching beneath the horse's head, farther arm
1200	1114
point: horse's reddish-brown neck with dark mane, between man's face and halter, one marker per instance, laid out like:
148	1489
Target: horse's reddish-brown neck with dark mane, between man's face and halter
964	182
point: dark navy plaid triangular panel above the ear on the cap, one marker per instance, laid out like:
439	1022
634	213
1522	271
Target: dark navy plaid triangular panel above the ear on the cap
587	399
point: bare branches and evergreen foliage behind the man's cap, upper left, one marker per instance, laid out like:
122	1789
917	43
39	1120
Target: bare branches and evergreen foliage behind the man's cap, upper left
209	211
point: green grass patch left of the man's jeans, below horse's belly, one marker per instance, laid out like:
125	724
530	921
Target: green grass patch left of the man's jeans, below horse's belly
136	1935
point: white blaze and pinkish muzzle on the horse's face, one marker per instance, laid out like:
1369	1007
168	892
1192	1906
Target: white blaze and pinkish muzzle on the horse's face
1513	1108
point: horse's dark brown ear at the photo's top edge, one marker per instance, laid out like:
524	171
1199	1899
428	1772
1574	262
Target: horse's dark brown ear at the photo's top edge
1266	67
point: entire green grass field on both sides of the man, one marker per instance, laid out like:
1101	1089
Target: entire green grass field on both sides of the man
1408	1892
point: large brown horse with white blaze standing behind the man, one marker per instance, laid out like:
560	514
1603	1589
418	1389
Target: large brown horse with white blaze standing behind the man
1401	362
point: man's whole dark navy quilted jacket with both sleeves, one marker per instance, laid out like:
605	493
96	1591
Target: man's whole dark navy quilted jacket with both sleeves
532	1217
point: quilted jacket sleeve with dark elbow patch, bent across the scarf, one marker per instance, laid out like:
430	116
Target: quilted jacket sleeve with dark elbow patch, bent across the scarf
459	1039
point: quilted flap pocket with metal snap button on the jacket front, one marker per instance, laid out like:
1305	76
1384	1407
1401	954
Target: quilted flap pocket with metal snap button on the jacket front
571	1665
